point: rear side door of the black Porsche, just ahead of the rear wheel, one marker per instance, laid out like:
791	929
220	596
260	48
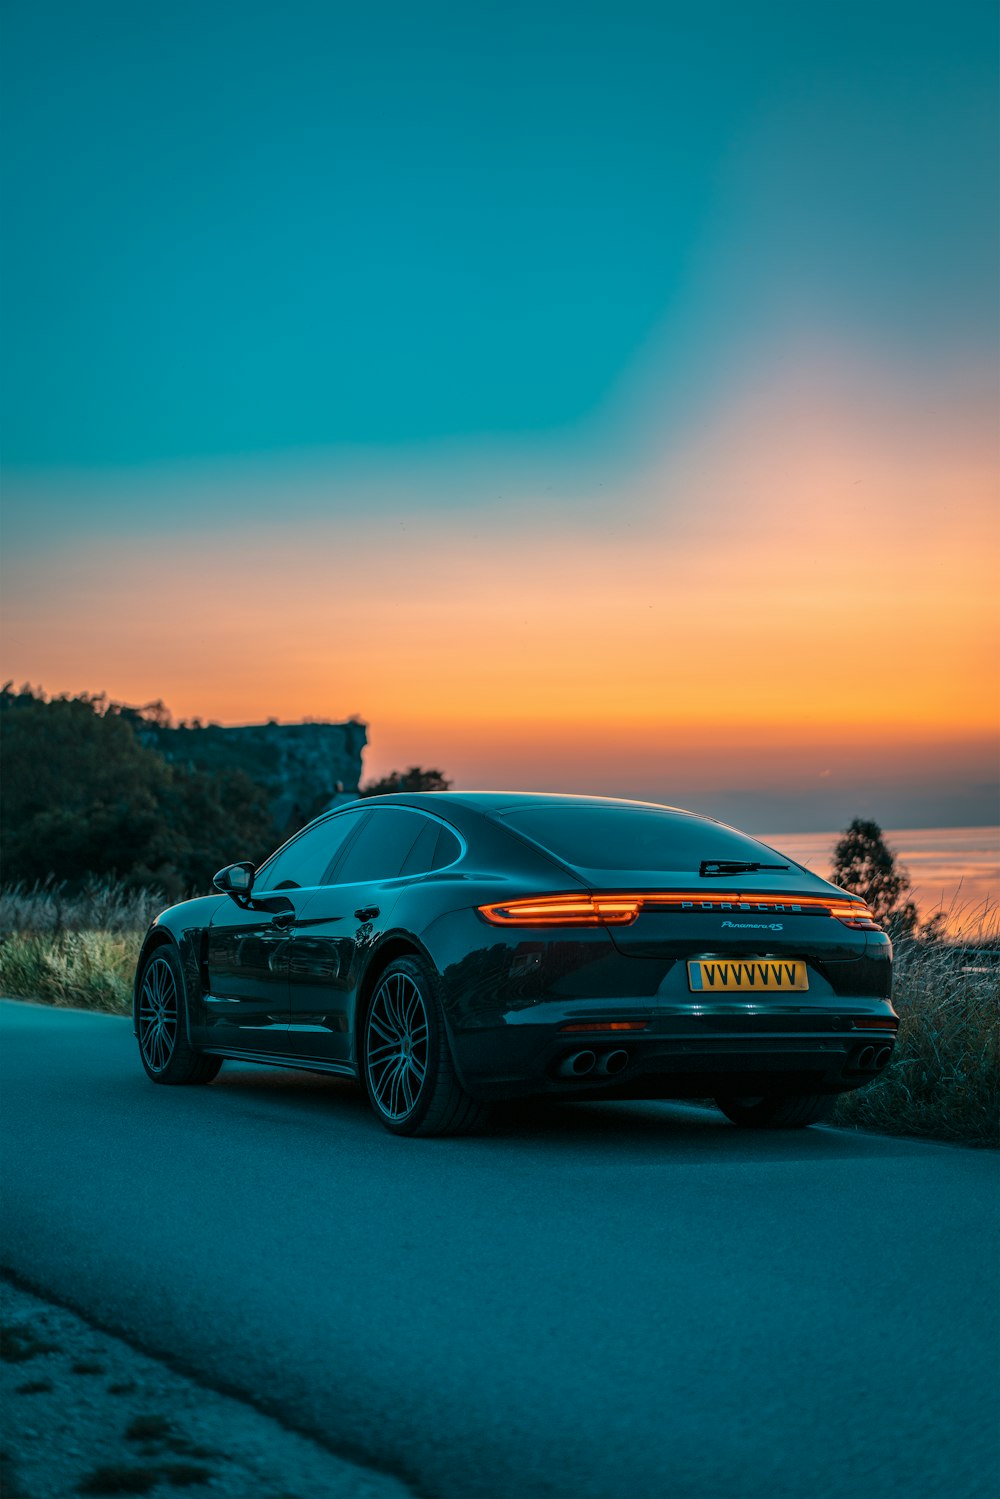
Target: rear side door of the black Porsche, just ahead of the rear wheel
343	923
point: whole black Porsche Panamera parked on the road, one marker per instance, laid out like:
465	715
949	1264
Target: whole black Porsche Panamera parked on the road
452	950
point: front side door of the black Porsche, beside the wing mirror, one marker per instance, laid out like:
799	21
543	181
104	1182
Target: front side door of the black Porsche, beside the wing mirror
248	950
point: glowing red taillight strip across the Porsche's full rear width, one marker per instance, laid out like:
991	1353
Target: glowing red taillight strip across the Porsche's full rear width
620	911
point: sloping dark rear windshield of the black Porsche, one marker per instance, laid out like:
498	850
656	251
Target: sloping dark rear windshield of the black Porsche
635	839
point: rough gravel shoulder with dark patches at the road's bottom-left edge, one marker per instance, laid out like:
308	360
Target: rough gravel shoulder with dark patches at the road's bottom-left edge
86	1413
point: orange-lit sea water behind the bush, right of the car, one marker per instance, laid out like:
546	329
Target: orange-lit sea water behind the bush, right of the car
951	870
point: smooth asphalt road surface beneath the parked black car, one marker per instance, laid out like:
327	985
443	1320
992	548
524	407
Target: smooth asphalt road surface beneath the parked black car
602	1300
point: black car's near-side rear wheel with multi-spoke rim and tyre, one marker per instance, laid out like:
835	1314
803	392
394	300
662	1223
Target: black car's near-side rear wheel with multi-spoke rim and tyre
407	1062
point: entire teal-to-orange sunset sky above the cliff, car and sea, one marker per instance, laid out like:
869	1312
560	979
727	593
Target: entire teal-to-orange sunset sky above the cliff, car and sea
588	396
